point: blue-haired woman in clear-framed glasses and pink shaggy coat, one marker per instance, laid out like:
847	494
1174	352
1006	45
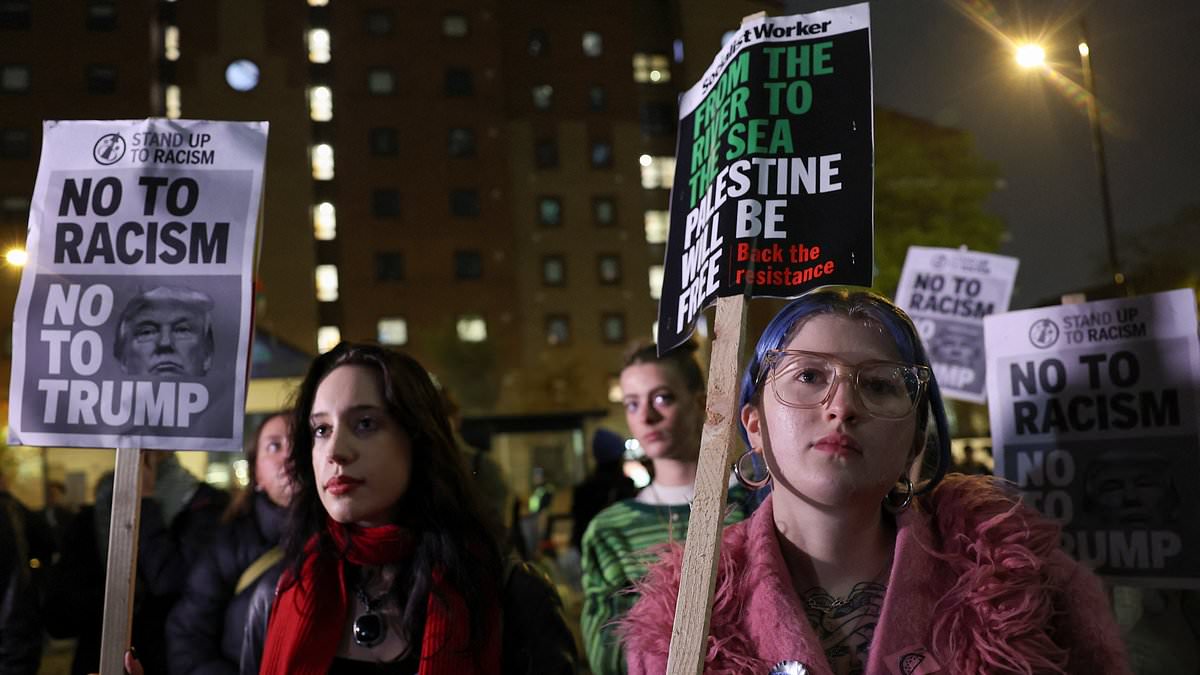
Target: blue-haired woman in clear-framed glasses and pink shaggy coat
865	559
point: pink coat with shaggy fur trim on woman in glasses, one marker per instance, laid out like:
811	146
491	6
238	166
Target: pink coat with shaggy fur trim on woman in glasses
979	586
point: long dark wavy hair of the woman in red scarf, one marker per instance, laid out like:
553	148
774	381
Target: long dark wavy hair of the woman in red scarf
439	507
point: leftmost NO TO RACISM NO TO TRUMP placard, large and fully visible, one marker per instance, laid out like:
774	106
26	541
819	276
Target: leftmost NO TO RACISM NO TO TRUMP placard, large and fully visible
133	321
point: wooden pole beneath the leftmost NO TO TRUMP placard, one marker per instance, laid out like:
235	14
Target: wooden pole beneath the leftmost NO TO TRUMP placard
123	561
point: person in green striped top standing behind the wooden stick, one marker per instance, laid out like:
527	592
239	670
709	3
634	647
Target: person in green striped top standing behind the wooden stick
664	399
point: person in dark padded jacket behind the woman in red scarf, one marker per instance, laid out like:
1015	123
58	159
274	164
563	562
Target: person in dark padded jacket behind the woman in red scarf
206	629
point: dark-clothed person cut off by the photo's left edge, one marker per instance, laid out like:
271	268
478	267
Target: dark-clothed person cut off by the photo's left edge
21	629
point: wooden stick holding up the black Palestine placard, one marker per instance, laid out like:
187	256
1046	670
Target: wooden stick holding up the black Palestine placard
689	636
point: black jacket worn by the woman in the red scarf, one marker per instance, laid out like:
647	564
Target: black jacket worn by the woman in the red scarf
536	642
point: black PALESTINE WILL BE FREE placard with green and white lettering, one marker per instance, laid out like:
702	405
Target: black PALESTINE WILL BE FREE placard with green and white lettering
773	180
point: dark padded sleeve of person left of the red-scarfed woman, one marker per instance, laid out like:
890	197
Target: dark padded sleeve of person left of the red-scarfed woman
197	622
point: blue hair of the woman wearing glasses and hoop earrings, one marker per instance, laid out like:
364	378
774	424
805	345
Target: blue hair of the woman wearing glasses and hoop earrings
868	306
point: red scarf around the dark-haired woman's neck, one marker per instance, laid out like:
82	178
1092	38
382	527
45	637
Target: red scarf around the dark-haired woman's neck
302	638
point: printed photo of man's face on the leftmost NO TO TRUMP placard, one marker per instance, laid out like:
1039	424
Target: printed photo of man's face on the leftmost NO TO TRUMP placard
166	332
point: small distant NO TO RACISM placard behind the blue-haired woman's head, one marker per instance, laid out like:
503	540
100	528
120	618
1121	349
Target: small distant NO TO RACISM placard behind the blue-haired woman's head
947	292
